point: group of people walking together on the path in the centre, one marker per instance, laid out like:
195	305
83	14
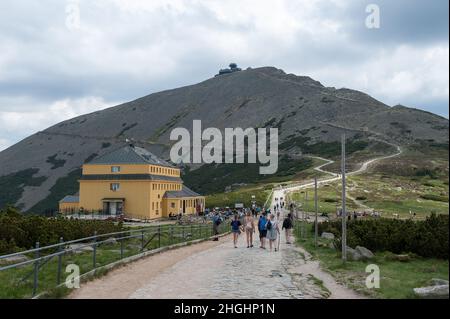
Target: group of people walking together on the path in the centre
268	226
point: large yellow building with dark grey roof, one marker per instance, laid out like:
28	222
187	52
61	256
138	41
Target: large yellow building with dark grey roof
134	182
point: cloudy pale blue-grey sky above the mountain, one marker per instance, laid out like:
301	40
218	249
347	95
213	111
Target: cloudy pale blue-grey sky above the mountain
63	58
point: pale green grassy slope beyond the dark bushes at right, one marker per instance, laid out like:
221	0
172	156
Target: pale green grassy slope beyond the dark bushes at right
386	193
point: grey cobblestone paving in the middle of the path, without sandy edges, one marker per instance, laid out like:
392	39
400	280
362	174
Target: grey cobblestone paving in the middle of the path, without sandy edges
227	272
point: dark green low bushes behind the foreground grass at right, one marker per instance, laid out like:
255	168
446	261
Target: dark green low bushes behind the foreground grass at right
428	238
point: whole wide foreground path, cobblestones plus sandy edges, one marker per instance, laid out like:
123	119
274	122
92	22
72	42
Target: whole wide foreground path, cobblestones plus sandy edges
218	270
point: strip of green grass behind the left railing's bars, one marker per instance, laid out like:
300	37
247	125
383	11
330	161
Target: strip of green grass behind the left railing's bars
18	282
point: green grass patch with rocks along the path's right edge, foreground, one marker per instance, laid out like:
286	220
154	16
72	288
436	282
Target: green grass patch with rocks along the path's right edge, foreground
397	279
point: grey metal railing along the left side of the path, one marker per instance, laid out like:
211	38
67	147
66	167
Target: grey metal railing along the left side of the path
131	243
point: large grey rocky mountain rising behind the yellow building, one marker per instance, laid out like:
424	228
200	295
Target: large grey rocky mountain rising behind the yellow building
45	166
